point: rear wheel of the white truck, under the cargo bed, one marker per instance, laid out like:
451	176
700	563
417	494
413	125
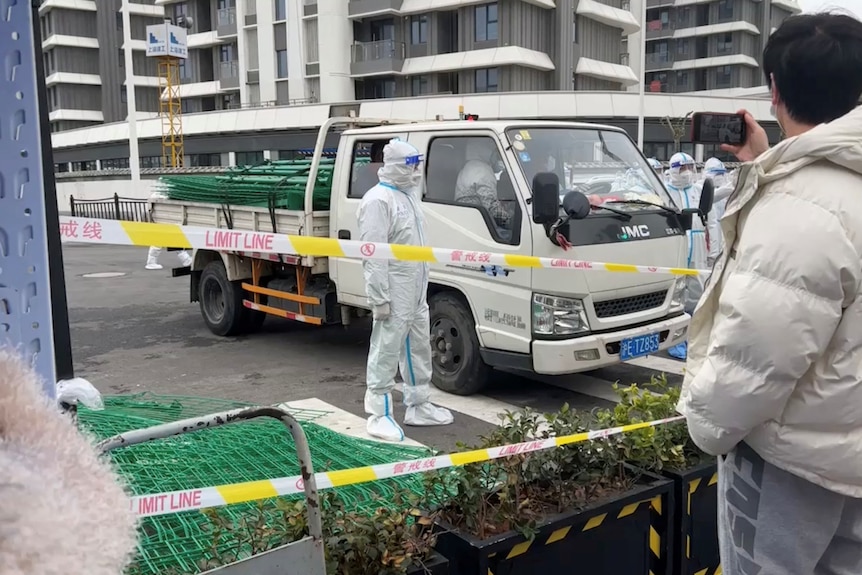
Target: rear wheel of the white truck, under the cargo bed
221	301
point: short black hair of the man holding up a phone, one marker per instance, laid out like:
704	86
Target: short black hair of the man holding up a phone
816	63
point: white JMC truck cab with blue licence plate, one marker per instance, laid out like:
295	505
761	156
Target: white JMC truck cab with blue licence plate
478	196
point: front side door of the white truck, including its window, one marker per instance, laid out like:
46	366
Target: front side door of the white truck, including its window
487	215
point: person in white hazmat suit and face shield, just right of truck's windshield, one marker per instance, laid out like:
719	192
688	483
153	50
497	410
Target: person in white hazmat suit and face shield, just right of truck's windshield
685	191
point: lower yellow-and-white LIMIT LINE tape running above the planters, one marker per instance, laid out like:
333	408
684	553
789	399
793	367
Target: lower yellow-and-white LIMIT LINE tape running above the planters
218	496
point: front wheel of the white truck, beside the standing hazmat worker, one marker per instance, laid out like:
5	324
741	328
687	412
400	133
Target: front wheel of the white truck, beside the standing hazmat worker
457	366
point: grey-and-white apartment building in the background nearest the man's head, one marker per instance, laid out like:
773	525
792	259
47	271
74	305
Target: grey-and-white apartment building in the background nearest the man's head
694	45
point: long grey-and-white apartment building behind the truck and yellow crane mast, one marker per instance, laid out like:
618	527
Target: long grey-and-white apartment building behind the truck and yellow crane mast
278	52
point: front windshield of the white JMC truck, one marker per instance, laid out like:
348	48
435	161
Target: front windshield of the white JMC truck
604	165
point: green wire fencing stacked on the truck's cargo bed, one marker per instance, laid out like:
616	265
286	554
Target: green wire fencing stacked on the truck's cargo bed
278	184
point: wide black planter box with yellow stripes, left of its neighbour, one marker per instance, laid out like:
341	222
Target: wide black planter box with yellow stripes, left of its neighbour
622	536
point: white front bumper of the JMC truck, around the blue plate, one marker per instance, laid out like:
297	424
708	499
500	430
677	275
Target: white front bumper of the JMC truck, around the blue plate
556	357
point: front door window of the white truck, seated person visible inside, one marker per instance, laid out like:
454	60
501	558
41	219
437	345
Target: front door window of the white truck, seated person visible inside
468	171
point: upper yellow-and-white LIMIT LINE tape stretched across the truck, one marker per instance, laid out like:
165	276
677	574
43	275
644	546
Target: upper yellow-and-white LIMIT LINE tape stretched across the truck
115	232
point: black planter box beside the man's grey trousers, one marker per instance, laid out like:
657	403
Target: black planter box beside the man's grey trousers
694	539
